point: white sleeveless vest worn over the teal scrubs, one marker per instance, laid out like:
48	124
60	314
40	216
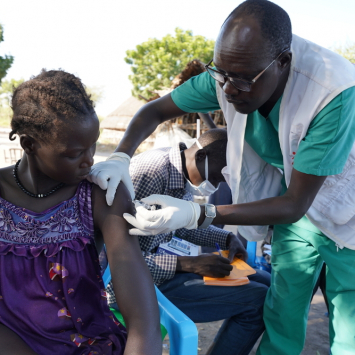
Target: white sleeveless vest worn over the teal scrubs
316	77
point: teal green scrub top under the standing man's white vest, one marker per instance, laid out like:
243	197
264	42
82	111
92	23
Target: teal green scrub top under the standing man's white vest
323	151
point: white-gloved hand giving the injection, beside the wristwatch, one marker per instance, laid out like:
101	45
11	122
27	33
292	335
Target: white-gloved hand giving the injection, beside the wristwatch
174	214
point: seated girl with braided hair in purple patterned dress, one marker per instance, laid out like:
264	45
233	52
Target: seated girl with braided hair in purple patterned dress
52	297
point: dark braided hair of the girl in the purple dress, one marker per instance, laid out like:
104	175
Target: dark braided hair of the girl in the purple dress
50	96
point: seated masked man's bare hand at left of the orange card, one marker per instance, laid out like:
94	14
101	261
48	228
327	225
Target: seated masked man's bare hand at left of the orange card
205	265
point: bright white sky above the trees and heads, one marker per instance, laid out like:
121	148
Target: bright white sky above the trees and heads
89	38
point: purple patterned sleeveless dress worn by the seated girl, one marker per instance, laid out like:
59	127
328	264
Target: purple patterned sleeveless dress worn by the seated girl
51	291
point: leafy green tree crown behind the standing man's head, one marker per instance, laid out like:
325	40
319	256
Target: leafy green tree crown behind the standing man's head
156	62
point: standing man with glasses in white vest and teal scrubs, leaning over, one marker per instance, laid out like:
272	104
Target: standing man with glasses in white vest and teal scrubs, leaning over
289	106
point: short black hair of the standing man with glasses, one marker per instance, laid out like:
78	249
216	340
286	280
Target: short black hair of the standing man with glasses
274	22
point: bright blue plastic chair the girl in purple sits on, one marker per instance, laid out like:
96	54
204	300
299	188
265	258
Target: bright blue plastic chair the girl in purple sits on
182	331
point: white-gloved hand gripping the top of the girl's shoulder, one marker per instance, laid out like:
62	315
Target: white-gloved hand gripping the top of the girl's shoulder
109	173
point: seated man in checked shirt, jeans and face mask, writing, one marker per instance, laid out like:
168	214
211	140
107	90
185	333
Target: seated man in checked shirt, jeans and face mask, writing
183	173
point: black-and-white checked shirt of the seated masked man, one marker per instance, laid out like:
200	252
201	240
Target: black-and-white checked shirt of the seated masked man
159	171
